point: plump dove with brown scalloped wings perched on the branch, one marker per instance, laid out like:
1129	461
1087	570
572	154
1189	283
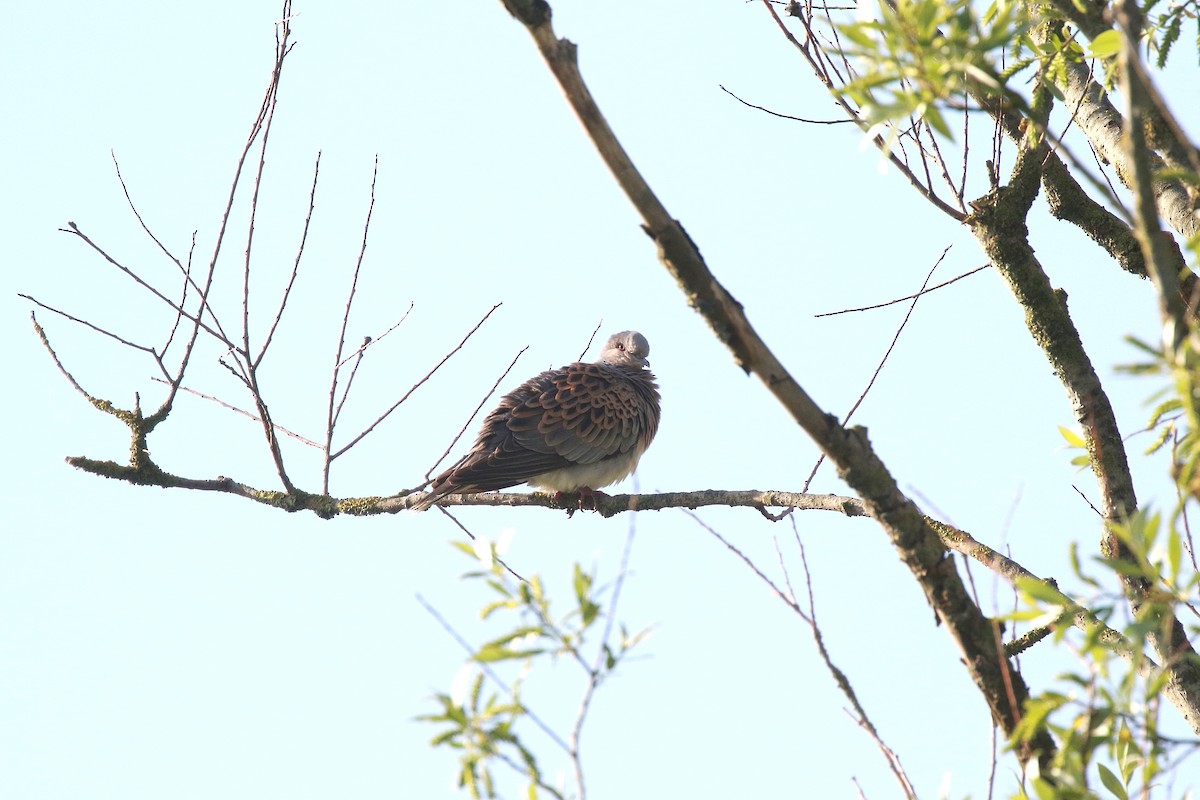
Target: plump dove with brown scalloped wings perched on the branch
579	428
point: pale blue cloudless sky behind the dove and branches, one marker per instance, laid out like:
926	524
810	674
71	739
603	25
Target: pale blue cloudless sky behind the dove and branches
172	645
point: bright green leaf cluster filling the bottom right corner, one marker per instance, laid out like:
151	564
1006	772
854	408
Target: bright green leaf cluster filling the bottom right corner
1107	717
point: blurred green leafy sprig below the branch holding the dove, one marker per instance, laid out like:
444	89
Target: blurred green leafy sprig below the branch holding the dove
483	726
